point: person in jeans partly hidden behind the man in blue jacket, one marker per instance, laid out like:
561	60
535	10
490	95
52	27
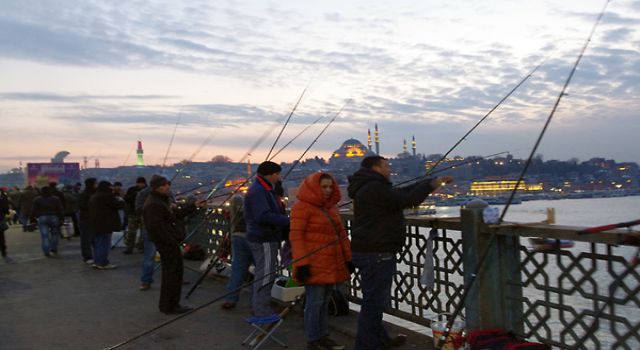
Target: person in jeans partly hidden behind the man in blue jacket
241	257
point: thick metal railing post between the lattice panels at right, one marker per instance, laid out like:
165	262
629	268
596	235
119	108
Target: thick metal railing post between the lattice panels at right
495	299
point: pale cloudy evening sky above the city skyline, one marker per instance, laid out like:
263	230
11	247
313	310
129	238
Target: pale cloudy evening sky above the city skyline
92	77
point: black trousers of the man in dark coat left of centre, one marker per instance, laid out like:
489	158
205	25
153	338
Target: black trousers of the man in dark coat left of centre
172	270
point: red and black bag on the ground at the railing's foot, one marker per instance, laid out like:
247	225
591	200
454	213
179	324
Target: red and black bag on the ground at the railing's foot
500	339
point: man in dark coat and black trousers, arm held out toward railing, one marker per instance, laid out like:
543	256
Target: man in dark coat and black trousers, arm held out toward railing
165	231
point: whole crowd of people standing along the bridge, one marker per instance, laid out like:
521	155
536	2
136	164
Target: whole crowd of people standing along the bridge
316	244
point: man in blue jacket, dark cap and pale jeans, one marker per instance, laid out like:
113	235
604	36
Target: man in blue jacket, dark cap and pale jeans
265	219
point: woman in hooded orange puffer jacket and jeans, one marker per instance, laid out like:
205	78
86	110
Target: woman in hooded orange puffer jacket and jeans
321	252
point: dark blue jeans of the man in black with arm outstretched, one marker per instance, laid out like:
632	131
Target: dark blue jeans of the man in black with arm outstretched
376	276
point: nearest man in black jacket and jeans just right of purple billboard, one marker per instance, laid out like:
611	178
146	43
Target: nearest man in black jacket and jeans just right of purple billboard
104	219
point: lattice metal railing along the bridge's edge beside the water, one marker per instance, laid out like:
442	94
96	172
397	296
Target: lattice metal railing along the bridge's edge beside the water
557	297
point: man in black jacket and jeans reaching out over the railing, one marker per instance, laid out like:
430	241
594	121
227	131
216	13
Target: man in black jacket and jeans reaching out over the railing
378	235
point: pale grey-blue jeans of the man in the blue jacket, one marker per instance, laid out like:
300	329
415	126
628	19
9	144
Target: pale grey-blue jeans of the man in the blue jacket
266	257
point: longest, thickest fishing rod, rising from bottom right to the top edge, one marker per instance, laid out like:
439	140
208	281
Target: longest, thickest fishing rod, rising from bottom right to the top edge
483	258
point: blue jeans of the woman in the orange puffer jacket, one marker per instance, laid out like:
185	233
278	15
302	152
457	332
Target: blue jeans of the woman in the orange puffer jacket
316	309
